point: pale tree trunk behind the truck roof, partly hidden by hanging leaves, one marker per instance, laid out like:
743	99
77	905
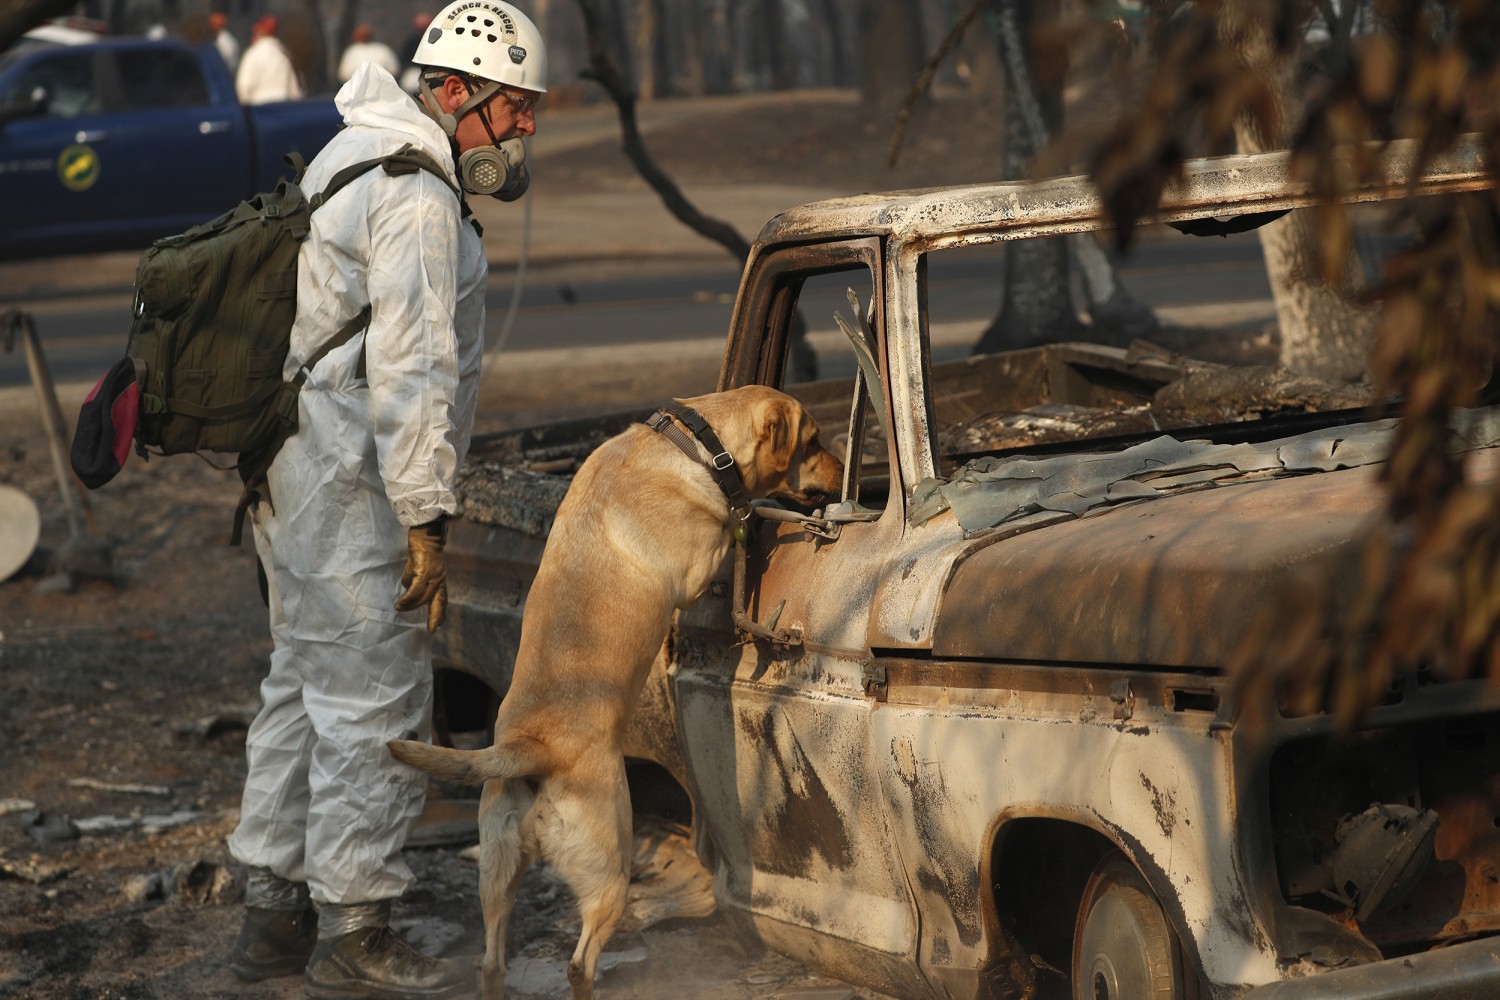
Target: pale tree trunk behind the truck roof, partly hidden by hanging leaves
1322	332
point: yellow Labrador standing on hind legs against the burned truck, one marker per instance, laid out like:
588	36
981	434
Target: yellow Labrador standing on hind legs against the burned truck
640	534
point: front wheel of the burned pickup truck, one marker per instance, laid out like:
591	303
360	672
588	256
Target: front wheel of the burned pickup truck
1123	945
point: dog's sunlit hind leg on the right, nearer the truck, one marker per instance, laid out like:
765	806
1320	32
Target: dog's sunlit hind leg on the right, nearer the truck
586	837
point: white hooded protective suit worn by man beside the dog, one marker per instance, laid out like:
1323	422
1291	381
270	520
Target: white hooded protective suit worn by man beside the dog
325	803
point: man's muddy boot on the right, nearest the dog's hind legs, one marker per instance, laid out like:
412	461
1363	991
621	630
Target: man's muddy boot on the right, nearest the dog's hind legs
359	956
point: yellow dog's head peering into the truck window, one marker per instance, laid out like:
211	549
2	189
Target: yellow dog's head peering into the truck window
775	443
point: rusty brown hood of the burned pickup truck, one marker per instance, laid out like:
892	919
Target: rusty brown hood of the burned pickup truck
1175	582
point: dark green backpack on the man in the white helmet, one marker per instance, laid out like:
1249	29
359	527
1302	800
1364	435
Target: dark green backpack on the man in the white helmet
212	326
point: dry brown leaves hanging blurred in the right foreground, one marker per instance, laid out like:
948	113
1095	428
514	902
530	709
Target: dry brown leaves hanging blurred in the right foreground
1430	73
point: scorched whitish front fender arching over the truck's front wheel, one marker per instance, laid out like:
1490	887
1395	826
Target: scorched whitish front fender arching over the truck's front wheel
1073	762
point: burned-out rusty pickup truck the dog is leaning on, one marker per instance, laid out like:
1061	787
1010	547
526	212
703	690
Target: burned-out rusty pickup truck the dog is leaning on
968	731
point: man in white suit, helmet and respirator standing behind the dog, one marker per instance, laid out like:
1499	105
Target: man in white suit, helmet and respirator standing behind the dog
352	537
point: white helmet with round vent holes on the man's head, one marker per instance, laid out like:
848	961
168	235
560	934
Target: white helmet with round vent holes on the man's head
490	40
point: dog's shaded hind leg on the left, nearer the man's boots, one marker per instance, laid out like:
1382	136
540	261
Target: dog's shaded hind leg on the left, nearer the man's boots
506	849
